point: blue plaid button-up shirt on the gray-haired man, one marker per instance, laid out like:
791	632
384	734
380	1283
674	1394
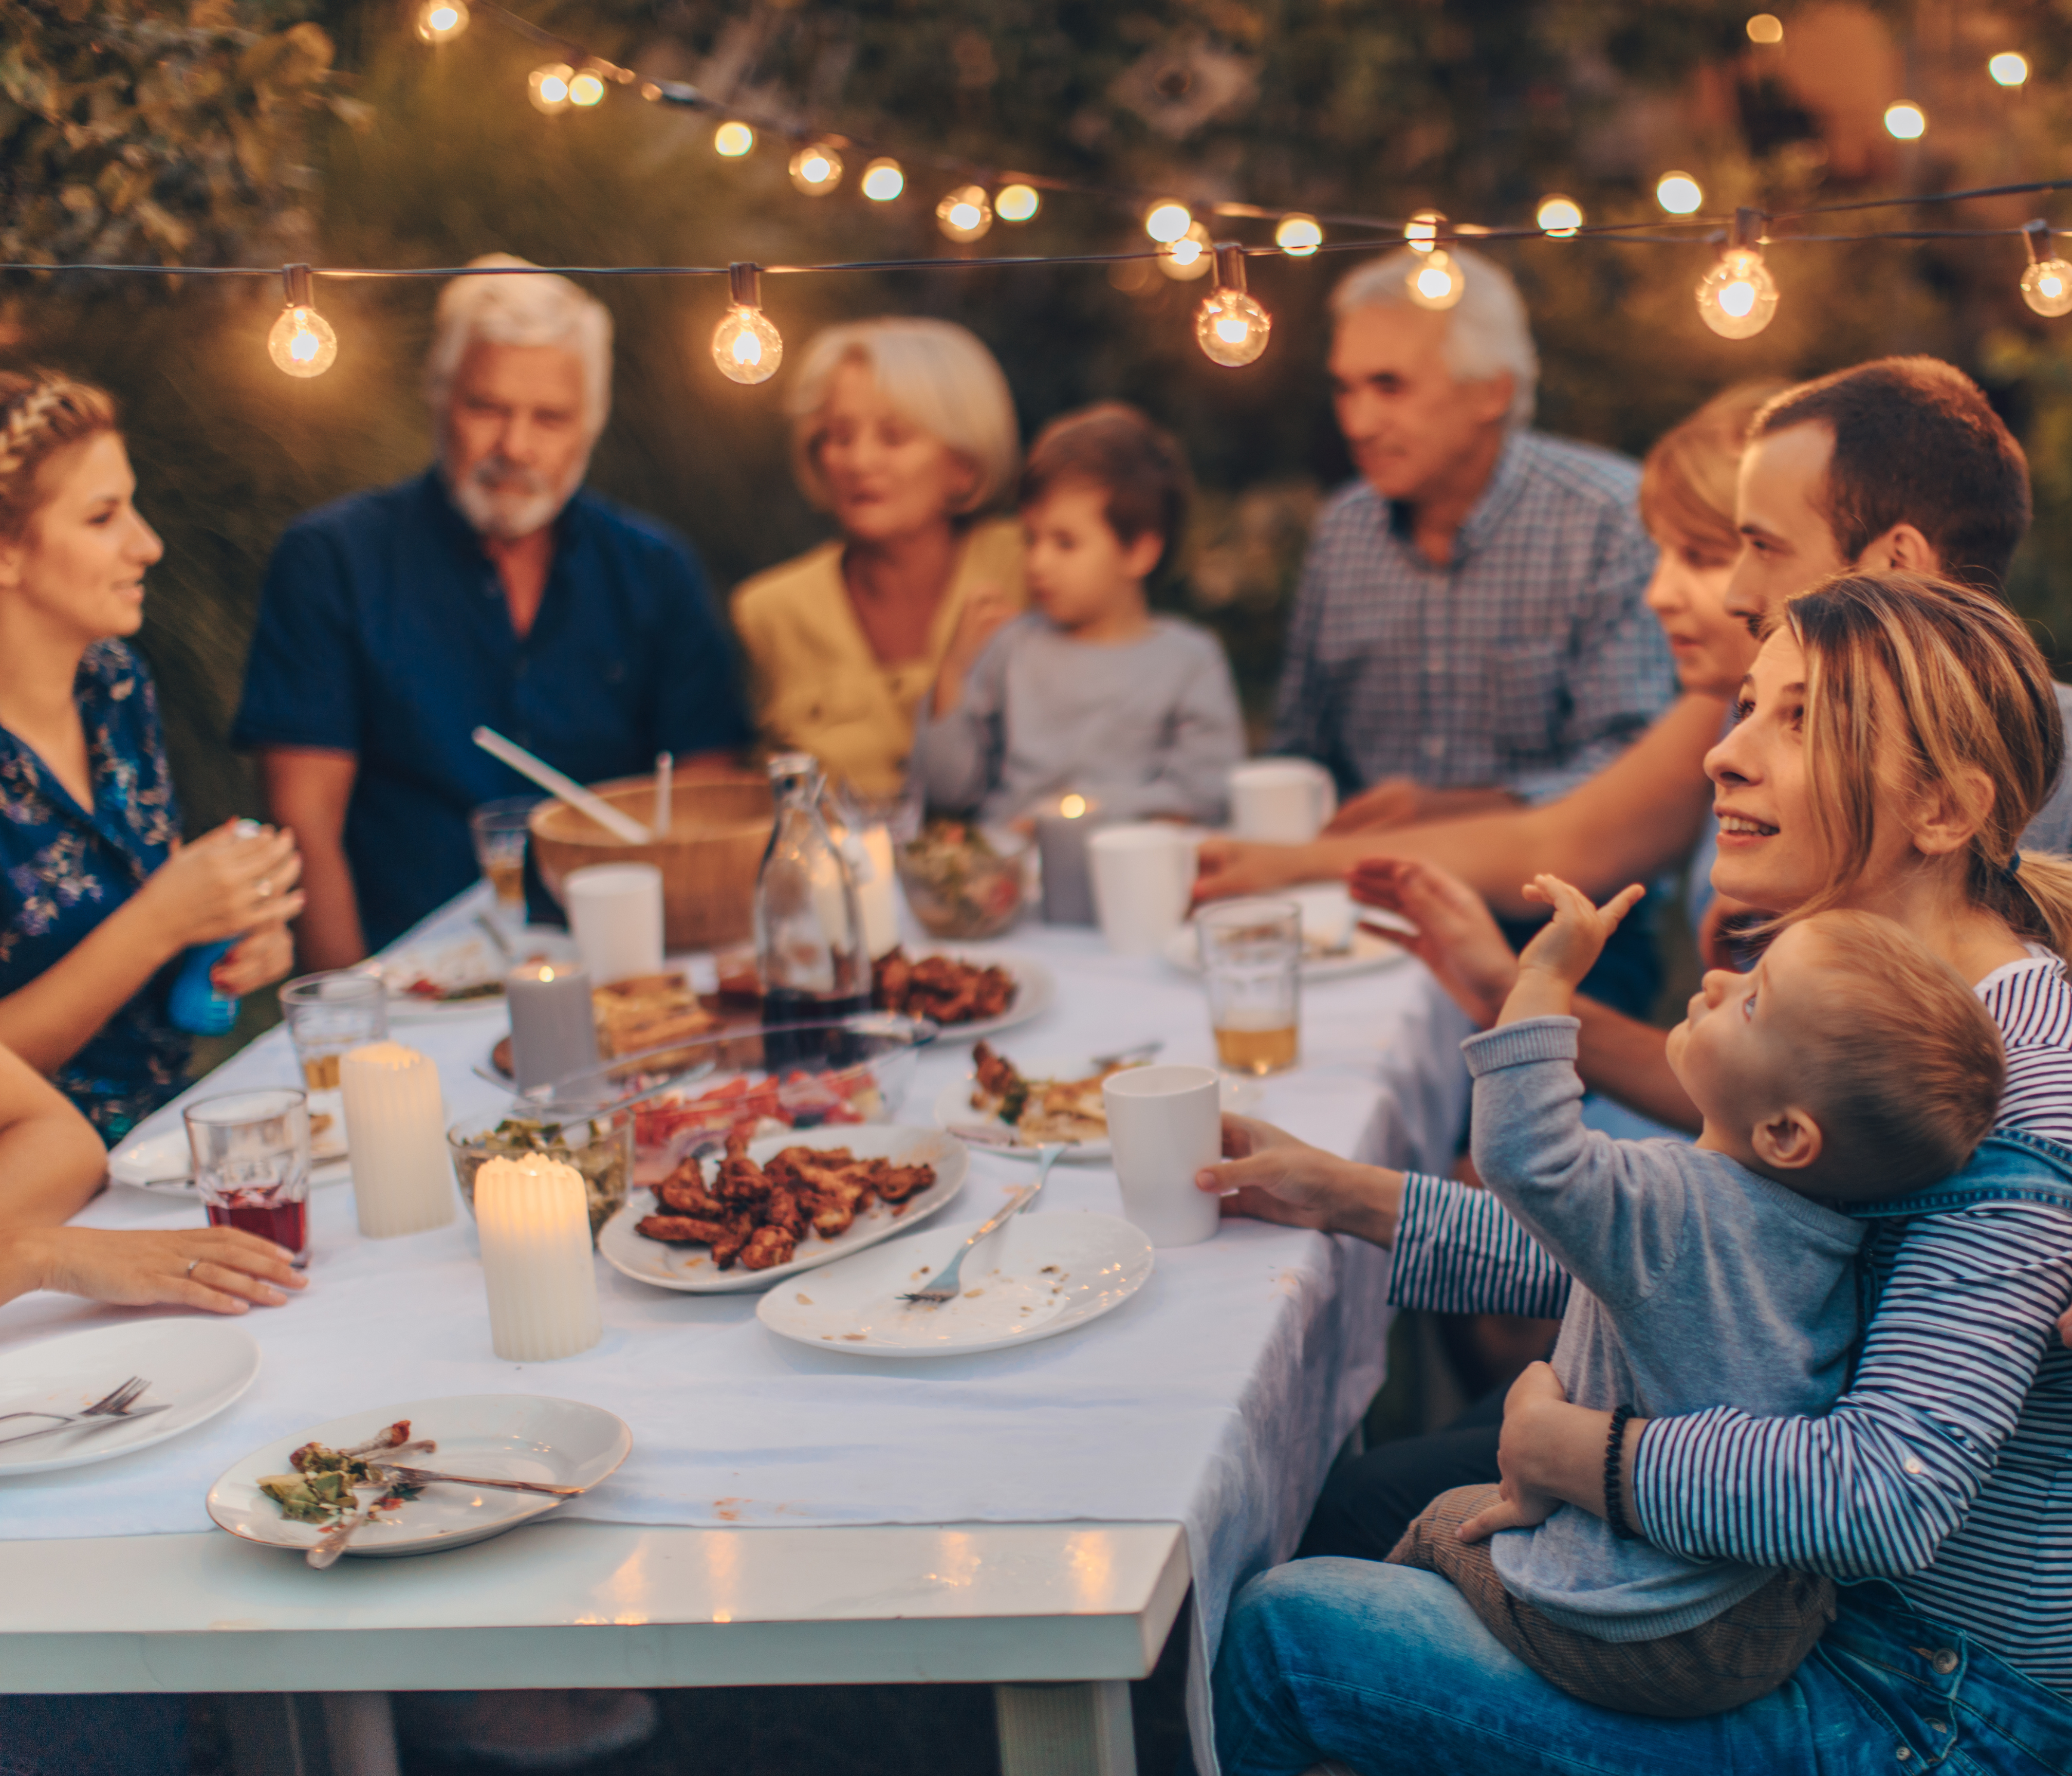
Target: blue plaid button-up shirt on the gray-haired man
1528	662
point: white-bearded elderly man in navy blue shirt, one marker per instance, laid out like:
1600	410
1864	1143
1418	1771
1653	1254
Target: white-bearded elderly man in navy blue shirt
492	592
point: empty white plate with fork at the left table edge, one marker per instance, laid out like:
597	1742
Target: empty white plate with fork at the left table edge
196	1371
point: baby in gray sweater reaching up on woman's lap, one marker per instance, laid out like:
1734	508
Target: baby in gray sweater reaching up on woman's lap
1851	1064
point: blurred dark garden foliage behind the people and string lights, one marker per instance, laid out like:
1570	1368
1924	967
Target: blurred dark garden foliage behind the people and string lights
256	132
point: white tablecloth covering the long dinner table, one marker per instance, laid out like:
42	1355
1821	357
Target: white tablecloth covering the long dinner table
1215	1398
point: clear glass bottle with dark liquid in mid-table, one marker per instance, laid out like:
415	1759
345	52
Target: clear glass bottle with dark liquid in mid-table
809	932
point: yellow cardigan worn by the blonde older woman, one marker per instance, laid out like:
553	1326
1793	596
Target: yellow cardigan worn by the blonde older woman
817	683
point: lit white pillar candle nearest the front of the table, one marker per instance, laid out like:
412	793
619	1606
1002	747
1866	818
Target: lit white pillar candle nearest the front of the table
536	1228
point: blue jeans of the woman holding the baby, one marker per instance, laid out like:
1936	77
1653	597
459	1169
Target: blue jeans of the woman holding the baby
1387	1669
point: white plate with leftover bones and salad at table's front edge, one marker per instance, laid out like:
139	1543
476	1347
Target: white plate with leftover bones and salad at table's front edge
496	1437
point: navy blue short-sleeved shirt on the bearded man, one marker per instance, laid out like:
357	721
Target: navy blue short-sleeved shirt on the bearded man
384	633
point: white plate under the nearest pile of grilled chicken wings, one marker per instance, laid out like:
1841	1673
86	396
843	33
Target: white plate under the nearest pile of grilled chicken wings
691	1267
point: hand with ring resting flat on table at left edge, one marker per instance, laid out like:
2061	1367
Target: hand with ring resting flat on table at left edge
219	1269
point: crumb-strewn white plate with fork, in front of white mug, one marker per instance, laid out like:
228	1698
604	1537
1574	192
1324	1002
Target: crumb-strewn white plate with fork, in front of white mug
1037	1278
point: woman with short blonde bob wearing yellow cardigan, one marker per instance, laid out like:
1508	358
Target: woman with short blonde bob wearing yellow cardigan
904	432
